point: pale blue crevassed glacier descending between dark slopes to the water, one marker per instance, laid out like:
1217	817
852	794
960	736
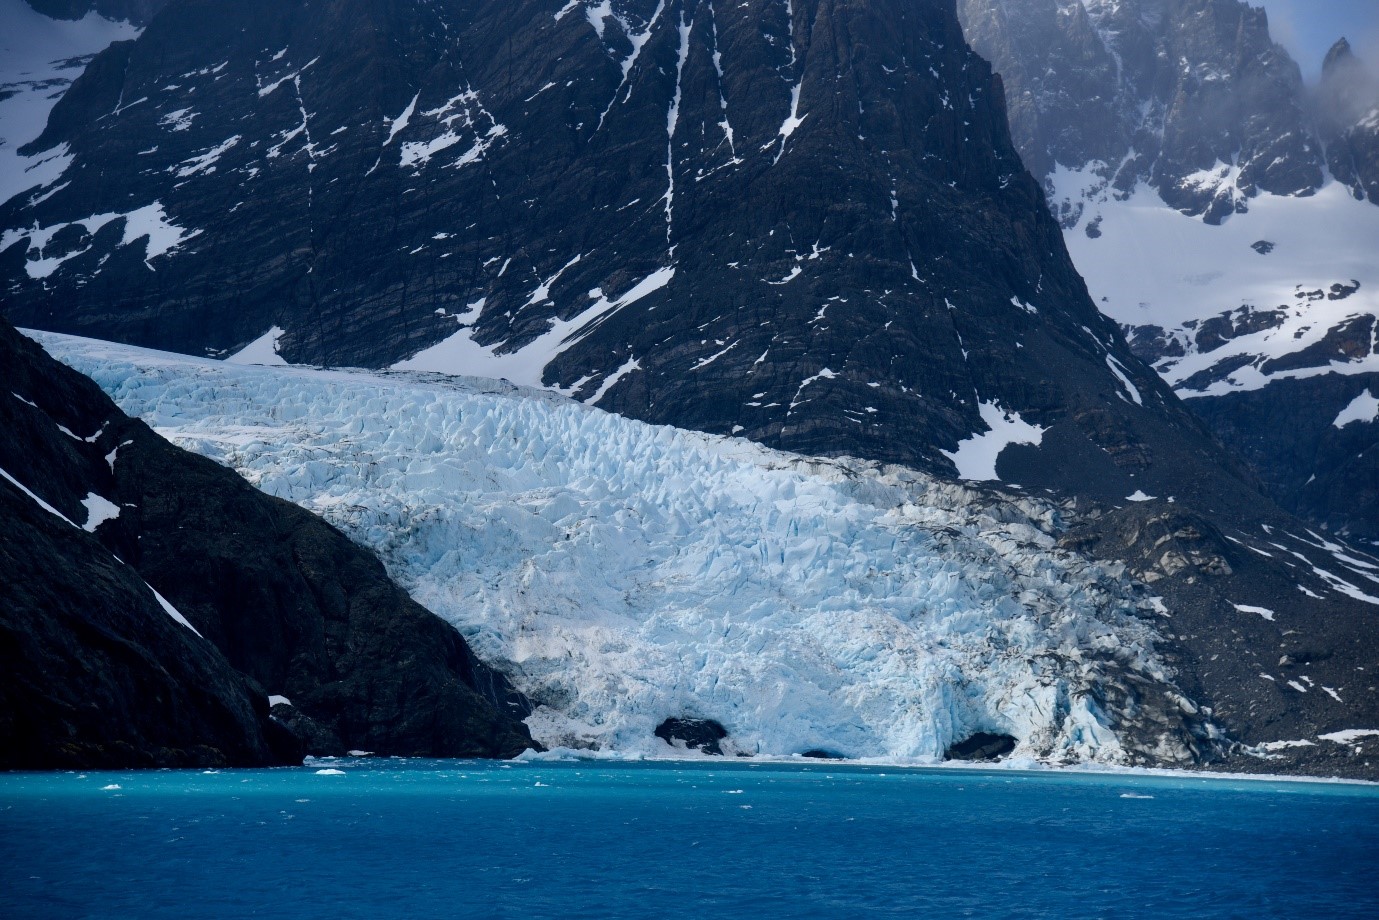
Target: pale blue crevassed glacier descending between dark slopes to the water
623	573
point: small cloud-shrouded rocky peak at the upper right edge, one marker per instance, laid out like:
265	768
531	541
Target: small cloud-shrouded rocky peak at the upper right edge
1348	121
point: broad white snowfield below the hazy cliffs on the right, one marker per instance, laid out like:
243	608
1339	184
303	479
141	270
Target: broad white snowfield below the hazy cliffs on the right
1152	266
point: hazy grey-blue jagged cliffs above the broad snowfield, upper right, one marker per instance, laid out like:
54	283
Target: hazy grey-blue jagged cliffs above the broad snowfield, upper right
1189	96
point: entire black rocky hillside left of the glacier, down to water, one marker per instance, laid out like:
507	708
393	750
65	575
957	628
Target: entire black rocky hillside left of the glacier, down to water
100	675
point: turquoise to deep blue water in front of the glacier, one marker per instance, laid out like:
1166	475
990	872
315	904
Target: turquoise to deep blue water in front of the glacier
467	839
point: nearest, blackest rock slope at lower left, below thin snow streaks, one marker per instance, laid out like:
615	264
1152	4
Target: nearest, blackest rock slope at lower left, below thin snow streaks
97	675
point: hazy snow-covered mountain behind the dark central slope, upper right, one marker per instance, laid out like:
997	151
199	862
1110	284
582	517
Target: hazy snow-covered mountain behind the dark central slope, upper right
1218	212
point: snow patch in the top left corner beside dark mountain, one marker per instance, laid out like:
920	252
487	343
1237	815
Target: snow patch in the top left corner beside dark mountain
39	57
